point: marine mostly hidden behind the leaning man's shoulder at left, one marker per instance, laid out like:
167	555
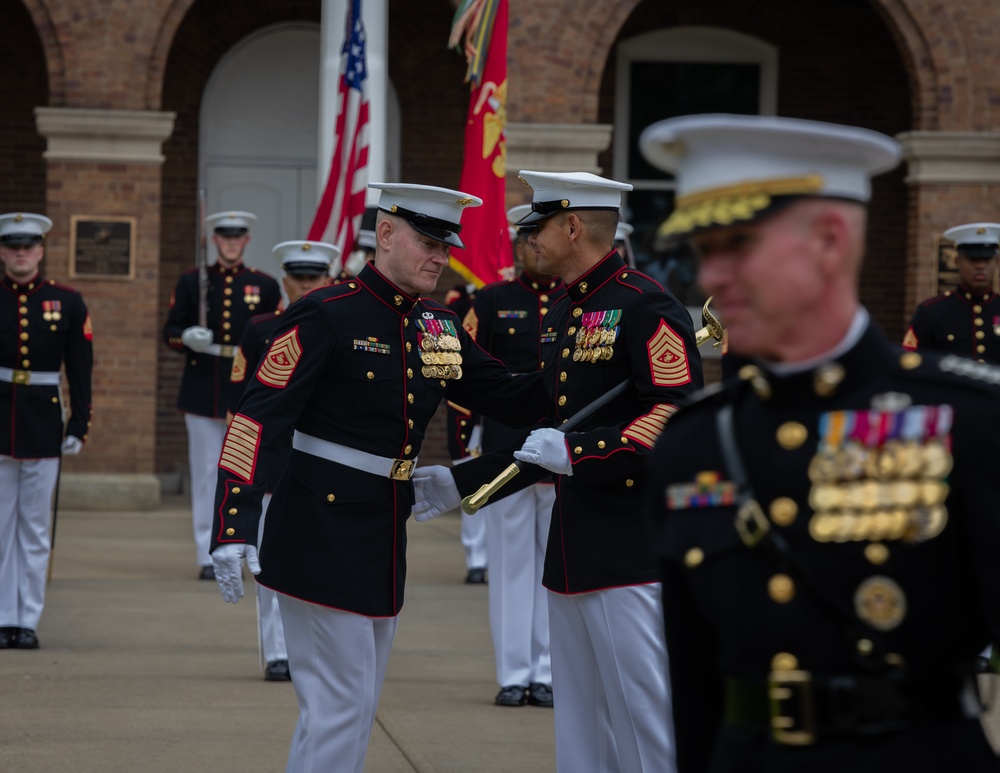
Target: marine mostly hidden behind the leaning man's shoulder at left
306	266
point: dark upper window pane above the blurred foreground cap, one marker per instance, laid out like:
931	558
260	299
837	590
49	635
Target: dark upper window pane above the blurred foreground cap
661	90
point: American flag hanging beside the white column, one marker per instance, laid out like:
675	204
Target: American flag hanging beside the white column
338	216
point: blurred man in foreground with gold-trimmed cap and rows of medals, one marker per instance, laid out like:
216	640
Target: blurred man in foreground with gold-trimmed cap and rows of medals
825	520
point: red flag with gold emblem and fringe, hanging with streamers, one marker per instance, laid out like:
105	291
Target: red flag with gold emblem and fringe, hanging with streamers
487	256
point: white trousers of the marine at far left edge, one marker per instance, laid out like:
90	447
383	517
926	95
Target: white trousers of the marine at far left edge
26	487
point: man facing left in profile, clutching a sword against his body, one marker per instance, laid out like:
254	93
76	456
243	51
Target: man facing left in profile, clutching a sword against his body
615	324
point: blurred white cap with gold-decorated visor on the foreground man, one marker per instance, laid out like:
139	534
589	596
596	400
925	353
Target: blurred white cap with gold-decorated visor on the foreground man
738	168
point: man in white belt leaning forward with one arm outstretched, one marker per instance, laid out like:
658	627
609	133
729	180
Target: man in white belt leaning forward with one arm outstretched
354	372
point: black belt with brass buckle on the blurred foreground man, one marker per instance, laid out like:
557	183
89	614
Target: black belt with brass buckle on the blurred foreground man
799	709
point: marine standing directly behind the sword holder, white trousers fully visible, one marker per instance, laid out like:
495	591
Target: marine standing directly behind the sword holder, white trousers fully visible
510	321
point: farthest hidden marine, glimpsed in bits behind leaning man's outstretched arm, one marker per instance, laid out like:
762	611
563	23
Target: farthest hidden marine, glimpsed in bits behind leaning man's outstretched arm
464	434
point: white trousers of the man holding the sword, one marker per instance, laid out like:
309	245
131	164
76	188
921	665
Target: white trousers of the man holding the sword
609	679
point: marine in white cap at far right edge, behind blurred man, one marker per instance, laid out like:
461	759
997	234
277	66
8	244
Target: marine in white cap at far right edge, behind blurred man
964	321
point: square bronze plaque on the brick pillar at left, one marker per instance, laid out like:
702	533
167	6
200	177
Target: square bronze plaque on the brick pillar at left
102	247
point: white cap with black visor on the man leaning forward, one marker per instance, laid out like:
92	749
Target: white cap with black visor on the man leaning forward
431	211
